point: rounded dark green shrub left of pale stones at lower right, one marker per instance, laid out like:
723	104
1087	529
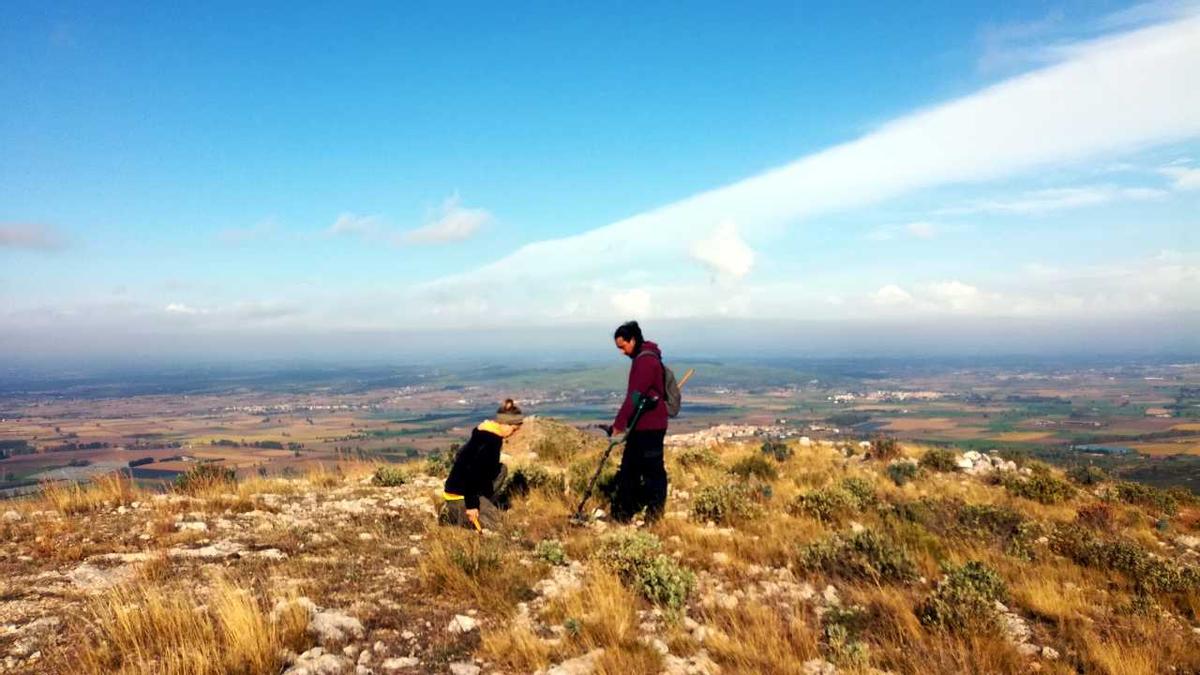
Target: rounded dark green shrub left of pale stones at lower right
965	600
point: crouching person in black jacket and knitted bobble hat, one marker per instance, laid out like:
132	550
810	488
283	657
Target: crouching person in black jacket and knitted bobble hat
477	474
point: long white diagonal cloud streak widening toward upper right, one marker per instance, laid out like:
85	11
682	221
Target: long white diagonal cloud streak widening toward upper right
1115	95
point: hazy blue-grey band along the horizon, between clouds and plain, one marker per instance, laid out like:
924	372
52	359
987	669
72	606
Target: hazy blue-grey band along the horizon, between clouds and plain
730	339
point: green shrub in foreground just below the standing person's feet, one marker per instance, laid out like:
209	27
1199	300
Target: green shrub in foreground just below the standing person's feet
638	560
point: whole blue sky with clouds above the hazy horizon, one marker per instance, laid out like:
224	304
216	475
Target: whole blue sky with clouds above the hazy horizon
265	170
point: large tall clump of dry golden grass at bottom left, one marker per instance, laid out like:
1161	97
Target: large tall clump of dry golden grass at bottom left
152	630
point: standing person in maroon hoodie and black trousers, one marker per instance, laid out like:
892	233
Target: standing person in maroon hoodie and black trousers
643	477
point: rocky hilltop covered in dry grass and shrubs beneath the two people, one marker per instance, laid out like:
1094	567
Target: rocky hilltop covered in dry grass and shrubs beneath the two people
777	557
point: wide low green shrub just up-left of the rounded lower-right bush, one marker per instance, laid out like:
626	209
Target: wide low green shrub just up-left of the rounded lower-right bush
862	555
